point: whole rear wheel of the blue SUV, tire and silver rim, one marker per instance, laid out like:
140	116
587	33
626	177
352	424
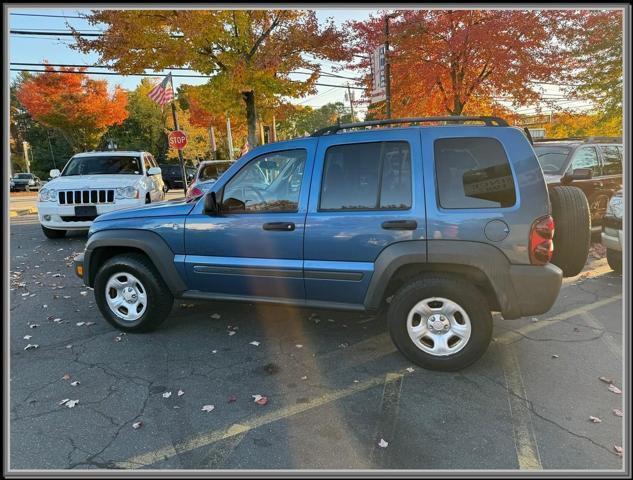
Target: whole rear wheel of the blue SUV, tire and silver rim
440	322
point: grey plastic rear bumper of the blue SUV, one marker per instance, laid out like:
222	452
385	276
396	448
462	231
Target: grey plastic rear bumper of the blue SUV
535	289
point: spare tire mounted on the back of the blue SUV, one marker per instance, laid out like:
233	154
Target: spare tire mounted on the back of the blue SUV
572	229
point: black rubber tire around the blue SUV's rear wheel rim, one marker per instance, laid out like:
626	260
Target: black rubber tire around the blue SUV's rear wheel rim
466	295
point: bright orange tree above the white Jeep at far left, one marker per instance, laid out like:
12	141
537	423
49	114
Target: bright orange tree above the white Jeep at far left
80	108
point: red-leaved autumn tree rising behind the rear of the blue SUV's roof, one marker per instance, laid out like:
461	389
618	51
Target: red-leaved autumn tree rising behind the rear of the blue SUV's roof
441	60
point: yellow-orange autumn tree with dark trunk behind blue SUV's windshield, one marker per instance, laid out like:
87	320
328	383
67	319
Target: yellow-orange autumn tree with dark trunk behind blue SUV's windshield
249	53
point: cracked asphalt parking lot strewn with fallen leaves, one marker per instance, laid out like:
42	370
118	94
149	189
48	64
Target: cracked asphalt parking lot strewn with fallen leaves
336	387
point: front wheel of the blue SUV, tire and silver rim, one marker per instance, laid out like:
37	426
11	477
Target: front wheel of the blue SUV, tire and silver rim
131	294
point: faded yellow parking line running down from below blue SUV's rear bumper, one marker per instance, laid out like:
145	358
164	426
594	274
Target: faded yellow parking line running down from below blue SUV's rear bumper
524	438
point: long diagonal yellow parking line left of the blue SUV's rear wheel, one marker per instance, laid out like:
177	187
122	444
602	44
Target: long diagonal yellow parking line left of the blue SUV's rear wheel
237	429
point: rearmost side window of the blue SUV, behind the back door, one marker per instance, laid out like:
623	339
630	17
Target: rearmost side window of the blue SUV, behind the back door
473	173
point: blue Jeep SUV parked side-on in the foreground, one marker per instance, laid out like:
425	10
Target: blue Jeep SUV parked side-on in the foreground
439	225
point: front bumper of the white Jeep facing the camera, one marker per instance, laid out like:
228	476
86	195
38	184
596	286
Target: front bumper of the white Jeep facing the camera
50	213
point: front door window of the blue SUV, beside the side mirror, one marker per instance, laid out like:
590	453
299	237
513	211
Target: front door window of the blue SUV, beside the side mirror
268	183
